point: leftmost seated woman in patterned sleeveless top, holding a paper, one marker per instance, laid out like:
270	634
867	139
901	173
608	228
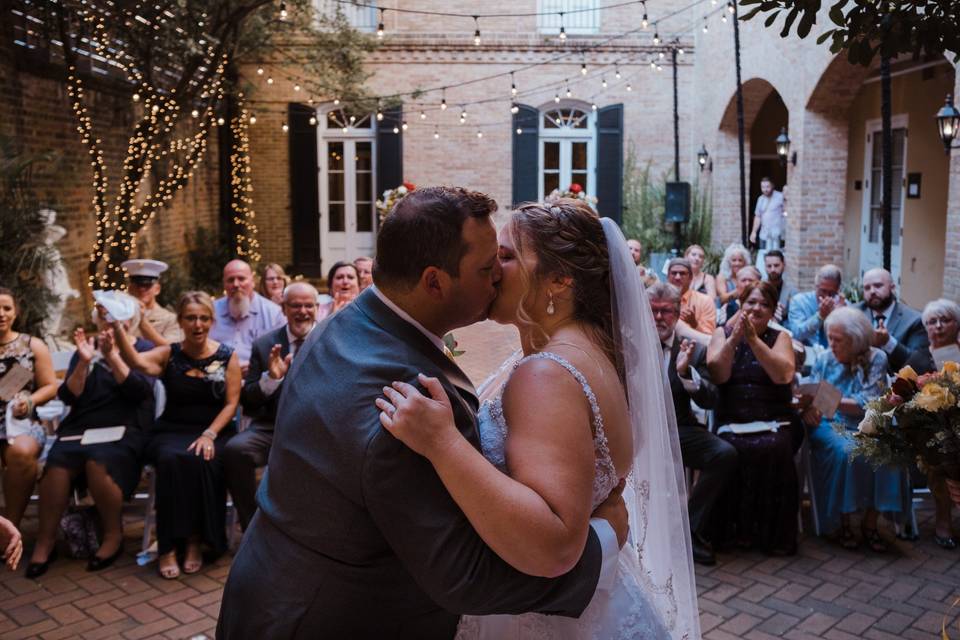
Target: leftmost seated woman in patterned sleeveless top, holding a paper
21	451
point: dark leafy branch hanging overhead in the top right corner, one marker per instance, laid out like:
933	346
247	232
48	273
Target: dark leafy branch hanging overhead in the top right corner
864	28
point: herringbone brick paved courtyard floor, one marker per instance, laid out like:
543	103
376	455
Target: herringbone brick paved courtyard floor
823	592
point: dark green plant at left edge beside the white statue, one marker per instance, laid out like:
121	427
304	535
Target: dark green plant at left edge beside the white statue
24	258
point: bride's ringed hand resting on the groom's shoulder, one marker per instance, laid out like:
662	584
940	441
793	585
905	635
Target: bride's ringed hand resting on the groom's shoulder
425	424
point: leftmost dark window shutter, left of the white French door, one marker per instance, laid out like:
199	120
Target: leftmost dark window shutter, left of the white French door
304	190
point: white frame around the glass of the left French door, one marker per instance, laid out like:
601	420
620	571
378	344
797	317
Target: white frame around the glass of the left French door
352	243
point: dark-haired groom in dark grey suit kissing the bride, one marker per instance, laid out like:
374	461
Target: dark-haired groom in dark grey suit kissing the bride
356	536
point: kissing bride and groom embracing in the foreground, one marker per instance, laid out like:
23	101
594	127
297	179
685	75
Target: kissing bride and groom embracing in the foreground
400	502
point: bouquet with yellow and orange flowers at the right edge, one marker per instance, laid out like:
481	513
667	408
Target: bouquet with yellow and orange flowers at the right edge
916	421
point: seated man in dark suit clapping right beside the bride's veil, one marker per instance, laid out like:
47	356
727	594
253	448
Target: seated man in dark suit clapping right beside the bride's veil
685	362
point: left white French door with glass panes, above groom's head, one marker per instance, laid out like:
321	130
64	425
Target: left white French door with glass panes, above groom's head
347	199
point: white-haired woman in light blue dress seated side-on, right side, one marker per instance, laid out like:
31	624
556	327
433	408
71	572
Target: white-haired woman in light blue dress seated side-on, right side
846	485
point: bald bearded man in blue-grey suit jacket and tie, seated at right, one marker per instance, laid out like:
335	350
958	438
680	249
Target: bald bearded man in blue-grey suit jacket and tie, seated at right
898	329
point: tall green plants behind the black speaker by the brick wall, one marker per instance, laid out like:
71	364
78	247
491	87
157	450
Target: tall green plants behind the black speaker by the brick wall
643	211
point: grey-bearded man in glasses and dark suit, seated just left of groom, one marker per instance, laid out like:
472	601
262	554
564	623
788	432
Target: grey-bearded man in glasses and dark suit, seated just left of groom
269	362
